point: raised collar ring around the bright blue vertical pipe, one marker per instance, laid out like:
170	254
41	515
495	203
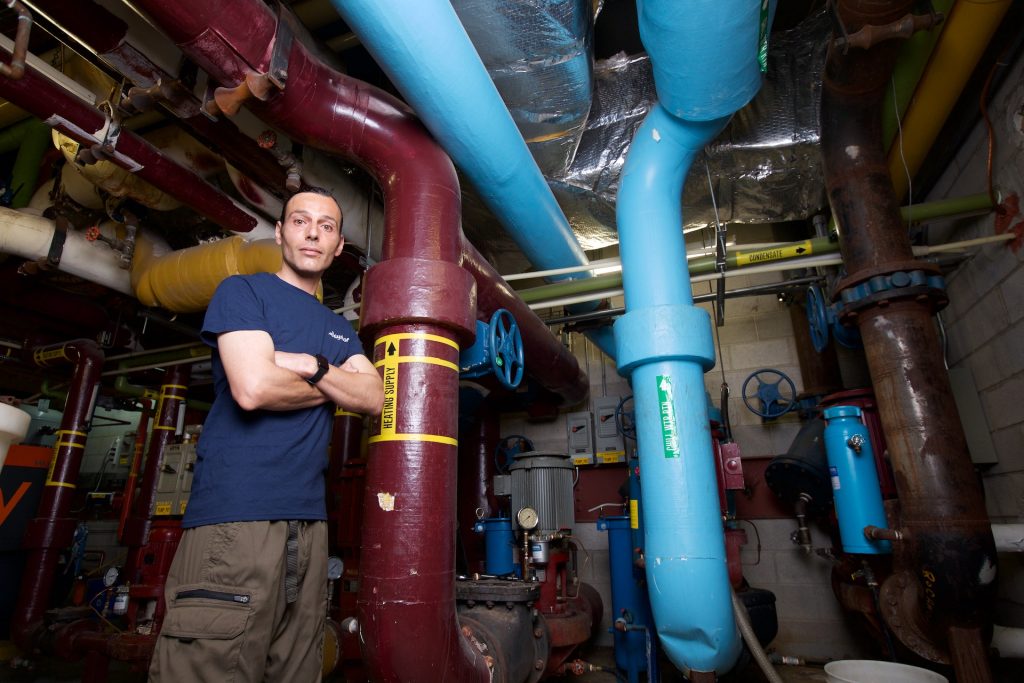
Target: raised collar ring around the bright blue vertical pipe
674	332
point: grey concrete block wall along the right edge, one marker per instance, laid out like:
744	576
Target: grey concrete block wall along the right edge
986	317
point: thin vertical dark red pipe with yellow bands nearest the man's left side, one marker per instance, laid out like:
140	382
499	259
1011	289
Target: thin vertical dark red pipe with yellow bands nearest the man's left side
174	394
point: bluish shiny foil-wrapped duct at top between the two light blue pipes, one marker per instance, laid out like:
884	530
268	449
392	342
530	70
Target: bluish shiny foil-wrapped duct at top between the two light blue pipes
540	58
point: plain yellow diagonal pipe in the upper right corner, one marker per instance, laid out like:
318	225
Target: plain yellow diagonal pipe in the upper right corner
968	31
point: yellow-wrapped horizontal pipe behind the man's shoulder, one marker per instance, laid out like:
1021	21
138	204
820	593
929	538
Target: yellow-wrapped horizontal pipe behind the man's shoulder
185	281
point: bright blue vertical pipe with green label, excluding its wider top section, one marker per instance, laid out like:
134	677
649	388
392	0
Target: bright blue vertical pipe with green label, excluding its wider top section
665	344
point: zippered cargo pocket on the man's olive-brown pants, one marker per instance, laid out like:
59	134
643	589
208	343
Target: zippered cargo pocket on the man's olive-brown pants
208	624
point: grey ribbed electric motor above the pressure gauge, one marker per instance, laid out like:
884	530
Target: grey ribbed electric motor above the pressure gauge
544	482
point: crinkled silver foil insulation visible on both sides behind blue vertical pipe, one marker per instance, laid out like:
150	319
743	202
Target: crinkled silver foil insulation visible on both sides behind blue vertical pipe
765	166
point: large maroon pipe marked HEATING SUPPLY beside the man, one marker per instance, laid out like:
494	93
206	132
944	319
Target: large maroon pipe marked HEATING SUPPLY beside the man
419	302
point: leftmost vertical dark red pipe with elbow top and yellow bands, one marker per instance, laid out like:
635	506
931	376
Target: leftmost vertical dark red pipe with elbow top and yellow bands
53	530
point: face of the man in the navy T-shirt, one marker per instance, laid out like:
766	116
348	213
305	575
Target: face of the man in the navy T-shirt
311	236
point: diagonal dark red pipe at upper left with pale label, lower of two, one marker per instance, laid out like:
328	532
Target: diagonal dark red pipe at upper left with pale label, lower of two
78	120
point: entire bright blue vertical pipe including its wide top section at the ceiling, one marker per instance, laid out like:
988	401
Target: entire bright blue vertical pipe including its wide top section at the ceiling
705	57
